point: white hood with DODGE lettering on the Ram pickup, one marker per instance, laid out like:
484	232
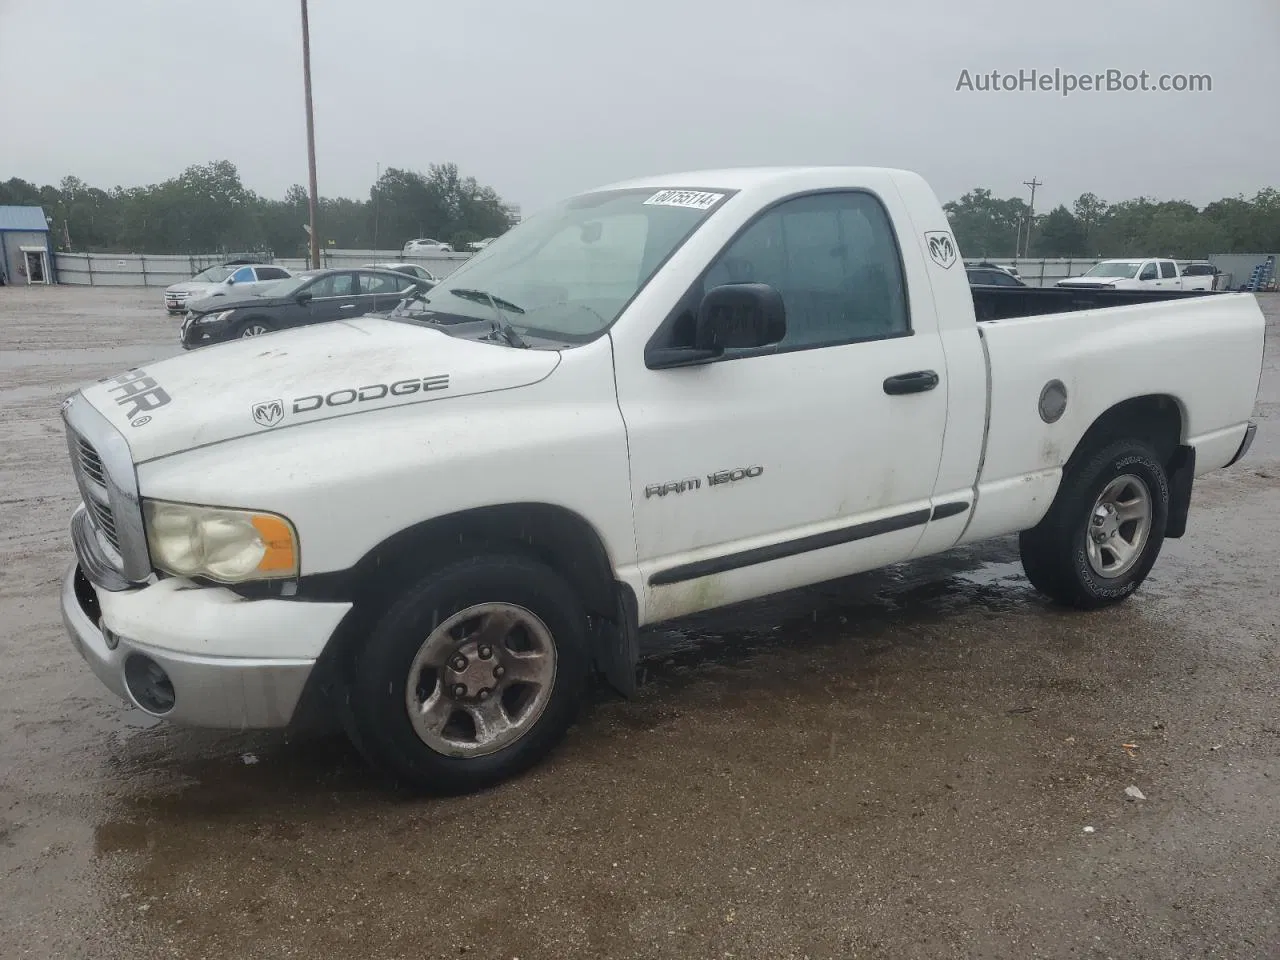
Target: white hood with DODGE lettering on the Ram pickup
300	377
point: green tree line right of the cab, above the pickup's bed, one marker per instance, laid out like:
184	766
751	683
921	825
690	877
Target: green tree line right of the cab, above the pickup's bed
988	226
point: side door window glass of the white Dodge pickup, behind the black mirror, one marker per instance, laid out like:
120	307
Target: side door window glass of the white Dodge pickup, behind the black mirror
835	262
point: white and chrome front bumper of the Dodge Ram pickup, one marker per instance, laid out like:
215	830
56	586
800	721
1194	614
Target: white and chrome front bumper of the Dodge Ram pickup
167	627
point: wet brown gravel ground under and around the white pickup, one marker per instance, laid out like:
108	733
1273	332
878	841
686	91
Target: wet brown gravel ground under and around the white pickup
926	762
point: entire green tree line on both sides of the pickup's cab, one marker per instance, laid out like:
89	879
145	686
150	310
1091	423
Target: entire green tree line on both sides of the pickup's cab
208	209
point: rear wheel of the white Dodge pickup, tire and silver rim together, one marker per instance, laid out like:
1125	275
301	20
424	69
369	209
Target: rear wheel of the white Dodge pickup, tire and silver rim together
1104	532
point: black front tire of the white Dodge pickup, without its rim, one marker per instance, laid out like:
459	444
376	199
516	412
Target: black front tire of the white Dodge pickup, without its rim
378	719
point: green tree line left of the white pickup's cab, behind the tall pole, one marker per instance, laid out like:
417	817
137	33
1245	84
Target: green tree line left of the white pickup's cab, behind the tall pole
207	209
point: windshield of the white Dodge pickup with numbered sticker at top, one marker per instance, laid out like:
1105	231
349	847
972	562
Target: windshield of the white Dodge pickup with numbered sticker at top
569	272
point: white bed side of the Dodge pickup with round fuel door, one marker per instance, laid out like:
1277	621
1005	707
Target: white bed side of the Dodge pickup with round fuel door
1205	355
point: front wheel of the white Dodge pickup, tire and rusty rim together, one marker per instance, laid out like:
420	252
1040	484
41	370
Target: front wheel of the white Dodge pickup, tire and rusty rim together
473	676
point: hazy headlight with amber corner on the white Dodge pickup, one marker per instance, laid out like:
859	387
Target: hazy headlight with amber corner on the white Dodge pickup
230	546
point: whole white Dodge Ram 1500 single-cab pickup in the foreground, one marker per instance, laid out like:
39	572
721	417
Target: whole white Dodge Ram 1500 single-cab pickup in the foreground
651	400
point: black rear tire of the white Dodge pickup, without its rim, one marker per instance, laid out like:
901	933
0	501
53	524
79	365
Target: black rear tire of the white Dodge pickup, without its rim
1055	552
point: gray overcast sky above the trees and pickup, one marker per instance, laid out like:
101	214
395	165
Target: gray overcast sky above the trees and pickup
543	99
